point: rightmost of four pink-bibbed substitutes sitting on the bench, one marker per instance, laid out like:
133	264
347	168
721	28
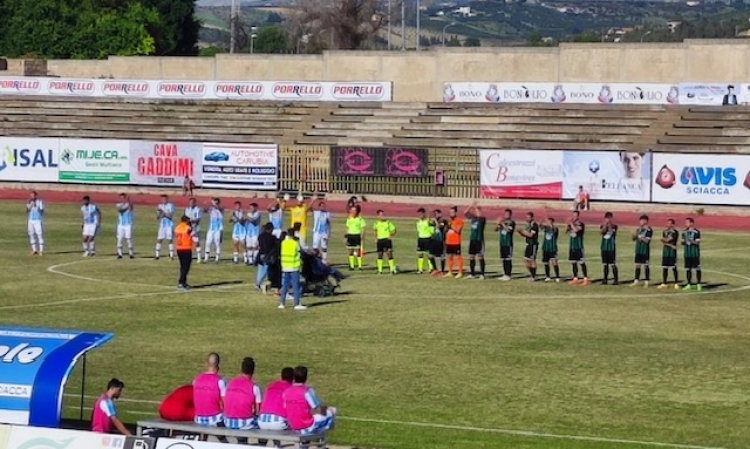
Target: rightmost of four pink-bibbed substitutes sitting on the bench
304	411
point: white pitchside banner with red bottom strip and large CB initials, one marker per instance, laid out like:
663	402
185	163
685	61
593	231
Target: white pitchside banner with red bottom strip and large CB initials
521	174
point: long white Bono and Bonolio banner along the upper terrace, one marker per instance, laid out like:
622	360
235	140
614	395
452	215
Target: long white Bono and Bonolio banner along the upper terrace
586	93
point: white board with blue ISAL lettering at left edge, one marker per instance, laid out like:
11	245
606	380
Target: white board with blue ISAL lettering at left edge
29	159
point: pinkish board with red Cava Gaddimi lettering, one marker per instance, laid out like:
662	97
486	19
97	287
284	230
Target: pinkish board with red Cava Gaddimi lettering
165	163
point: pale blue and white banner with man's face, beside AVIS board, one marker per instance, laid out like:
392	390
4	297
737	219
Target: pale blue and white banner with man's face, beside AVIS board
607	175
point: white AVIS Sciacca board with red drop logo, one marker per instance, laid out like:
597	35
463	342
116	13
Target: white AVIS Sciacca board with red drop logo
701	179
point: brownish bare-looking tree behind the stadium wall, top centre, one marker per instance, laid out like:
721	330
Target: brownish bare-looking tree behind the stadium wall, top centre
345	24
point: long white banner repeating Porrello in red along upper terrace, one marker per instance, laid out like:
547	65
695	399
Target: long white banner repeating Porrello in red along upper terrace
200	90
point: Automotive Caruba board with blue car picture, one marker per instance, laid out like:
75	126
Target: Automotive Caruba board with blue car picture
240	166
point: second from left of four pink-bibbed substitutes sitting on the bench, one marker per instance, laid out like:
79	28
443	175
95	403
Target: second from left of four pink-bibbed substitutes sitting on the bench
243	398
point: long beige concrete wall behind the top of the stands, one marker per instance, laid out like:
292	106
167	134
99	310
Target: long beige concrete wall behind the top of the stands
421	76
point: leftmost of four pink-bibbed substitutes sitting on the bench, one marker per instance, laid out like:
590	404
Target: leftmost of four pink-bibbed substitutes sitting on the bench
209	390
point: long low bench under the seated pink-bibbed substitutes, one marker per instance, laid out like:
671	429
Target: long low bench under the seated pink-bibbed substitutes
317	439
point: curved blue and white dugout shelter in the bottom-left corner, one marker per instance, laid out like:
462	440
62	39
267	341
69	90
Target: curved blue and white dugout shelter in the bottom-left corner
34	366
